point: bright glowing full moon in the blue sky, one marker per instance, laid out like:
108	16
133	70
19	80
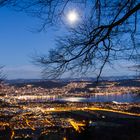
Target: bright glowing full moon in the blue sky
72	17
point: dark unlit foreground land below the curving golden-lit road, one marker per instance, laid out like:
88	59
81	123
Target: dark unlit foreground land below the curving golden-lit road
99	125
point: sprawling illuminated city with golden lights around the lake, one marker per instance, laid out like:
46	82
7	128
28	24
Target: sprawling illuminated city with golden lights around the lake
35	111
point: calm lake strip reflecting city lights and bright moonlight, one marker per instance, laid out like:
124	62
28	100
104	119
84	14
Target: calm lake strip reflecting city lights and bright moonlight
130	98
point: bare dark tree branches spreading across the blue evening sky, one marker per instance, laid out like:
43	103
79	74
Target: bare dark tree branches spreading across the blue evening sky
109	31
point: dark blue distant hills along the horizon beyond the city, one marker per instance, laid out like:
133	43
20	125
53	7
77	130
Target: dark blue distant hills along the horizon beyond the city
123	81
